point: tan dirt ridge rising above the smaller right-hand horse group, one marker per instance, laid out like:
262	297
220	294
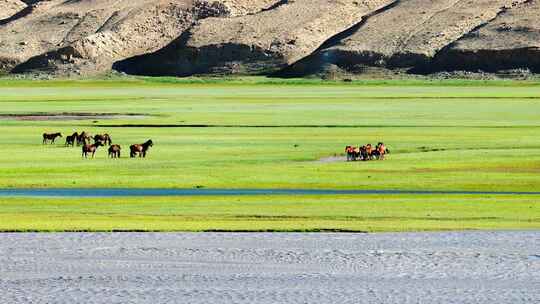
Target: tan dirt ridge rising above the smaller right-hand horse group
392	40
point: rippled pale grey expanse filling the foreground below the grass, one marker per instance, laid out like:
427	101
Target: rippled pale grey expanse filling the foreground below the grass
456	267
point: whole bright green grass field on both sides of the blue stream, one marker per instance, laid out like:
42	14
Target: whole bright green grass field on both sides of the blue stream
264	133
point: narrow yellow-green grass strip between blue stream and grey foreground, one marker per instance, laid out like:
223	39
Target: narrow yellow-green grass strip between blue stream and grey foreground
263	213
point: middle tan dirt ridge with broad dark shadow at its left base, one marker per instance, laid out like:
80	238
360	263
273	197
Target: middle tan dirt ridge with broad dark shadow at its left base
258	43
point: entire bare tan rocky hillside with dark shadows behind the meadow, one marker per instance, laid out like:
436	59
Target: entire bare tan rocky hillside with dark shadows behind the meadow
269	37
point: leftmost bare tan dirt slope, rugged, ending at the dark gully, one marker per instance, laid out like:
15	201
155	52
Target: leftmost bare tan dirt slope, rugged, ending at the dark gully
87	37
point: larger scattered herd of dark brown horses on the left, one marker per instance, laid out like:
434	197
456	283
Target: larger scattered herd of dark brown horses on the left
90	144
